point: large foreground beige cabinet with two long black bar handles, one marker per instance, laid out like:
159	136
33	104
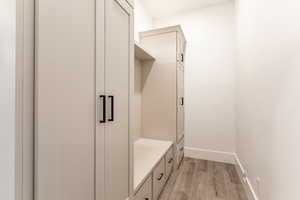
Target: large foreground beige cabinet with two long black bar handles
82	98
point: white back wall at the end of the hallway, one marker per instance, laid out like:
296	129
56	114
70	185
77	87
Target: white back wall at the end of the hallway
209	77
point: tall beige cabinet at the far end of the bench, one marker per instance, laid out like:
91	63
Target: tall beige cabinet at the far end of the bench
163	90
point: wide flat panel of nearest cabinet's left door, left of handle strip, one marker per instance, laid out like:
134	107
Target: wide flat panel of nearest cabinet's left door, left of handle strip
64	100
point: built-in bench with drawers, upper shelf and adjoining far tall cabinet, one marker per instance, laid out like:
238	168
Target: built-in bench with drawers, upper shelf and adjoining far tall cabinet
158	109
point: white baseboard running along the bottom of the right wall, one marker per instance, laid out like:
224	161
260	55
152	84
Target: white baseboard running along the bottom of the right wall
245	180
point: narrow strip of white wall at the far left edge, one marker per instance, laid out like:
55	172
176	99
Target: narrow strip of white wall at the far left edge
7	99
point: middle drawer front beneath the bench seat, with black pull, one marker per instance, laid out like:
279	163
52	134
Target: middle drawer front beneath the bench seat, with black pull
158	179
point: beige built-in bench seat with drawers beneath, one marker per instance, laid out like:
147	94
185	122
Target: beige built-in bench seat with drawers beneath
150	158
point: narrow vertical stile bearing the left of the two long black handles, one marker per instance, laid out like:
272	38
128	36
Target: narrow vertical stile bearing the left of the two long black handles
101	111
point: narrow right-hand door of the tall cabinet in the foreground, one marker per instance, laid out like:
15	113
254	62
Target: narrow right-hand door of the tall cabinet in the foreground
118	35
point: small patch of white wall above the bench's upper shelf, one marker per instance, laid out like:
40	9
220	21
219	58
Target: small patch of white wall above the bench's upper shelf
142	20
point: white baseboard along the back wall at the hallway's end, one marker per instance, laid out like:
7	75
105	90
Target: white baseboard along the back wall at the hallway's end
206	154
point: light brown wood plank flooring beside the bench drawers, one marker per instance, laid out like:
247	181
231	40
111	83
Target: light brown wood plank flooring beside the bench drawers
204	180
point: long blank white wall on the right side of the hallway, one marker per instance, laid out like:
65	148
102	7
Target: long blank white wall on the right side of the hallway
269	96
